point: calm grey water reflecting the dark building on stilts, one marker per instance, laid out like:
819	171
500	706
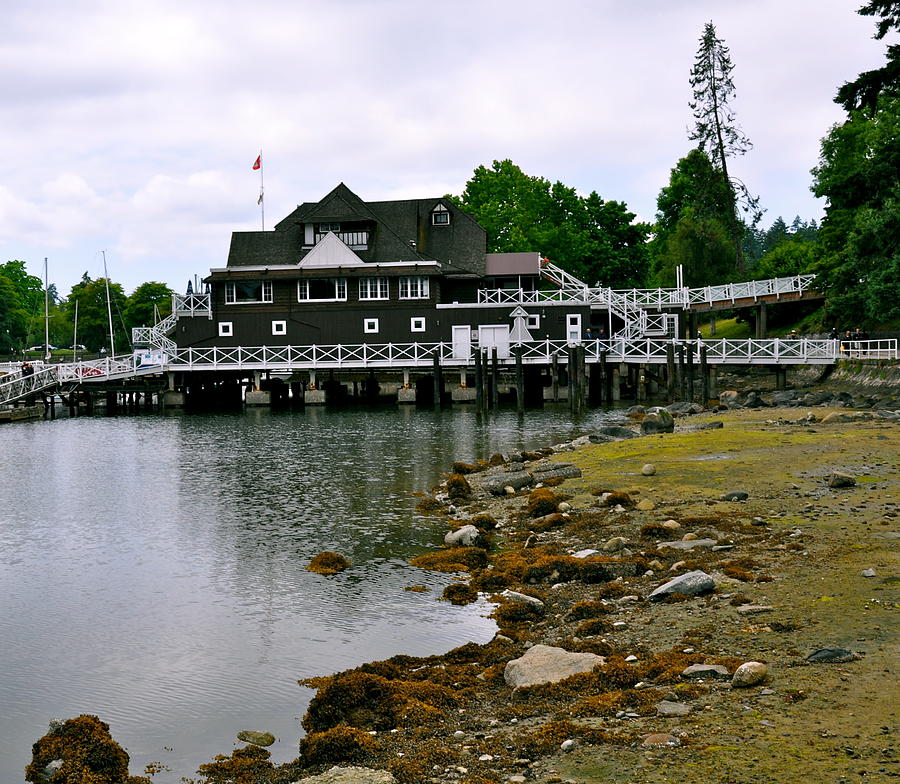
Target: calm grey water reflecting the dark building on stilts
152	567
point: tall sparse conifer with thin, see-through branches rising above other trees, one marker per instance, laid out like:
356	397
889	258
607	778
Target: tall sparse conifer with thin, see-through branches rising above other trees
715	130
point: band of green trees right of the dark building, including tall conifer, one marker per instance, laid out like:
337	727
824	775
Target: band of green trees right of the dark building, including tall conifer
708	222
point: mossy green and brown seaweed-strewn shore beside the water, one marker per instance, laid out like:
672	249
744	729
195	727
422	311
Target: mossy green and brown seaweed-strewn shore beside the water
789	566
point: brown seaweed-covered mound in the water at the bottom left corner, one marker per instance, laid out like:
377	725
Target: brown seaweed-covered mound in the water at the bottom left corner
88	752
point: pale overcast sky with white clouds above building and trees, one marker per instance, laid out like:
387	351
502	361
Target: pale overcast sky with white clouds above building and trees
131	126
